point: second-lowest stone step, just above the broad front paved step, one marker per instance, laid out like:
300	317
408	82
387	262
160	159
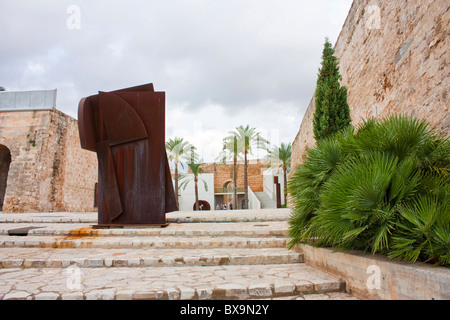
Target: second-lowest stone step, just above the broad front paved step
105	258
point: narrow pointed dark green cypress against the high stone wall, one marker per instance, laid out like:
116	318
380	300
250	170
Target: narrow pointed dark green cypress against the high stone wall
332	112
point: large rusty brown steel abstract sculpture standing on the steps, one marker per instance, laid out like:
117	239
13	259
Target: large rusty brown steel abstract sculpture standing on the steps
126	128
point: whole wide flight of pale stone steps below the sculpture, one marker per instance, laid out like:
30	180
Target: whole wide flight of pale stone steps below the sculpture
200	256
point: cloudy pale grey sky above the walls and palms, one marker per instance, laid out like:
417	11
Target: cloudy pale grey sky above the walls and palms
221	63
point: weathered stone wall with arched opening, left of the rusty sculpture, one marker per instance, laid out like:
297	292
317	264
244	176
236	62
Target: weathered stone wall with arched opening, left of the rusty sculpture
49	171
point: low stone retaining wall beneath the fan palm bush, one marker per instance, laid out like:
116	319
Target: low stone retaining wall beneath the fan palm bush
374	277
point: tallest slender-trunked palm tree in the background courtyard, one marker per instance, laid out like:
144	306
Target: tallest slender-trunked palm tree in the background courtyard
247	139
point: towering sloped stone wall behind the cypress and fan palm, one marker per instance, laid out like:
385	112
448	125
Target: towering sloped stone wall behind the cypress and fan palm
393	59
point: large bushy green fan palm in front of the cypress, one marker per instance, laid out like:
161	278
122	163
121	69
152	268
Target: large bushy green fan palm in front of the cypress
383	189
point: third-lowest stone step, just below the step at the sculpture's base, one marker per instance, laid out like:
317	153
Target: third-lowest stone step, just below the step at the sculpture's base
166	242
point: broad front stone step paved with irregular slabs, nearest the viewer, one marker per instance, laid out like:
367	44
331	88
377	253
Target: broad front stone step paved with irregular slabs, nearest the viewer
169	283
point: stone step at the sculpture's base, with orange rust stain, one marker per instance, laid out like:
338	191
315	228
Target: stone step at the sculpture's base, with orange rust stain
207	229
